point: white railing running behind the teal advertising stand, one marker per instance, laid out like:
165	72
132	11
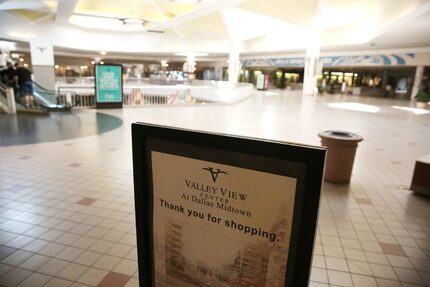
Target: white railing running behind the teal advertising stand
167	94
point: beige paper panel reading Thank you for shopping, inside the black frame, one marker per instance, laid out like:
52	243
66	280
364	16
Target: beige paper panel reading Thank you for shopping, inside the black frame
217	225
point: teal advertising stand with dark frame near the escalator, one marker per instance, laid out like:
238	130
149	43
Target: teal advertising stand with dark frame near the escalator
108	85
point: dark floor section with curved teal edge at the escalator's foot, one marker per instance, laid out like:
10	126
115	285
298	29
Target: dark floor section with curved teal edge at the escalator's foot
33	128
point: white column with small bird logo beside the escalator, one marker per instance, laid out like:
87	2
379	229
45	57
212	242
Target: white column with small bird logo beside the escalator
42	61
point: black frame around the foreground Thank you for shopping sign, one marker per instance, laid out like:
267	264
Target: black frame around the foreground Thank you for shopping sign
200	145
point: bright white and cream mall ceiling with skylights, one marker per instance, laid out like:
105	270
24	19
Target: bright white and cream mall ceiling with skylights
215	26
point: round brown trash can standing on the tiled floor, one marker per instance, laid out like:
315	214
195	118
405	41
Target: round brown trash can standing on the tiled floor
341	147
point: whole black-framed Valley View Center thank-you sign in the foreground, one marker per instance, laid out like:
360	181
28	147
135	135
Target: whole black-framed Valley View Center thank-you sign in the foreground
218	210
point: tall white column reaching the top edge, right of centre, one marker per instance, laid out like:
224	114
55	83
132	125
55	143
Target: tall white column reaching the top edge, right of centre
312	54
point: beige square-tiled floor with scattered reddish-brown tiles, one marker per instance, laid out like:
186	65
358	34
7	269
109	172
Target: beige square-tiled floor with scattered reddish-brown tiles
67	209
